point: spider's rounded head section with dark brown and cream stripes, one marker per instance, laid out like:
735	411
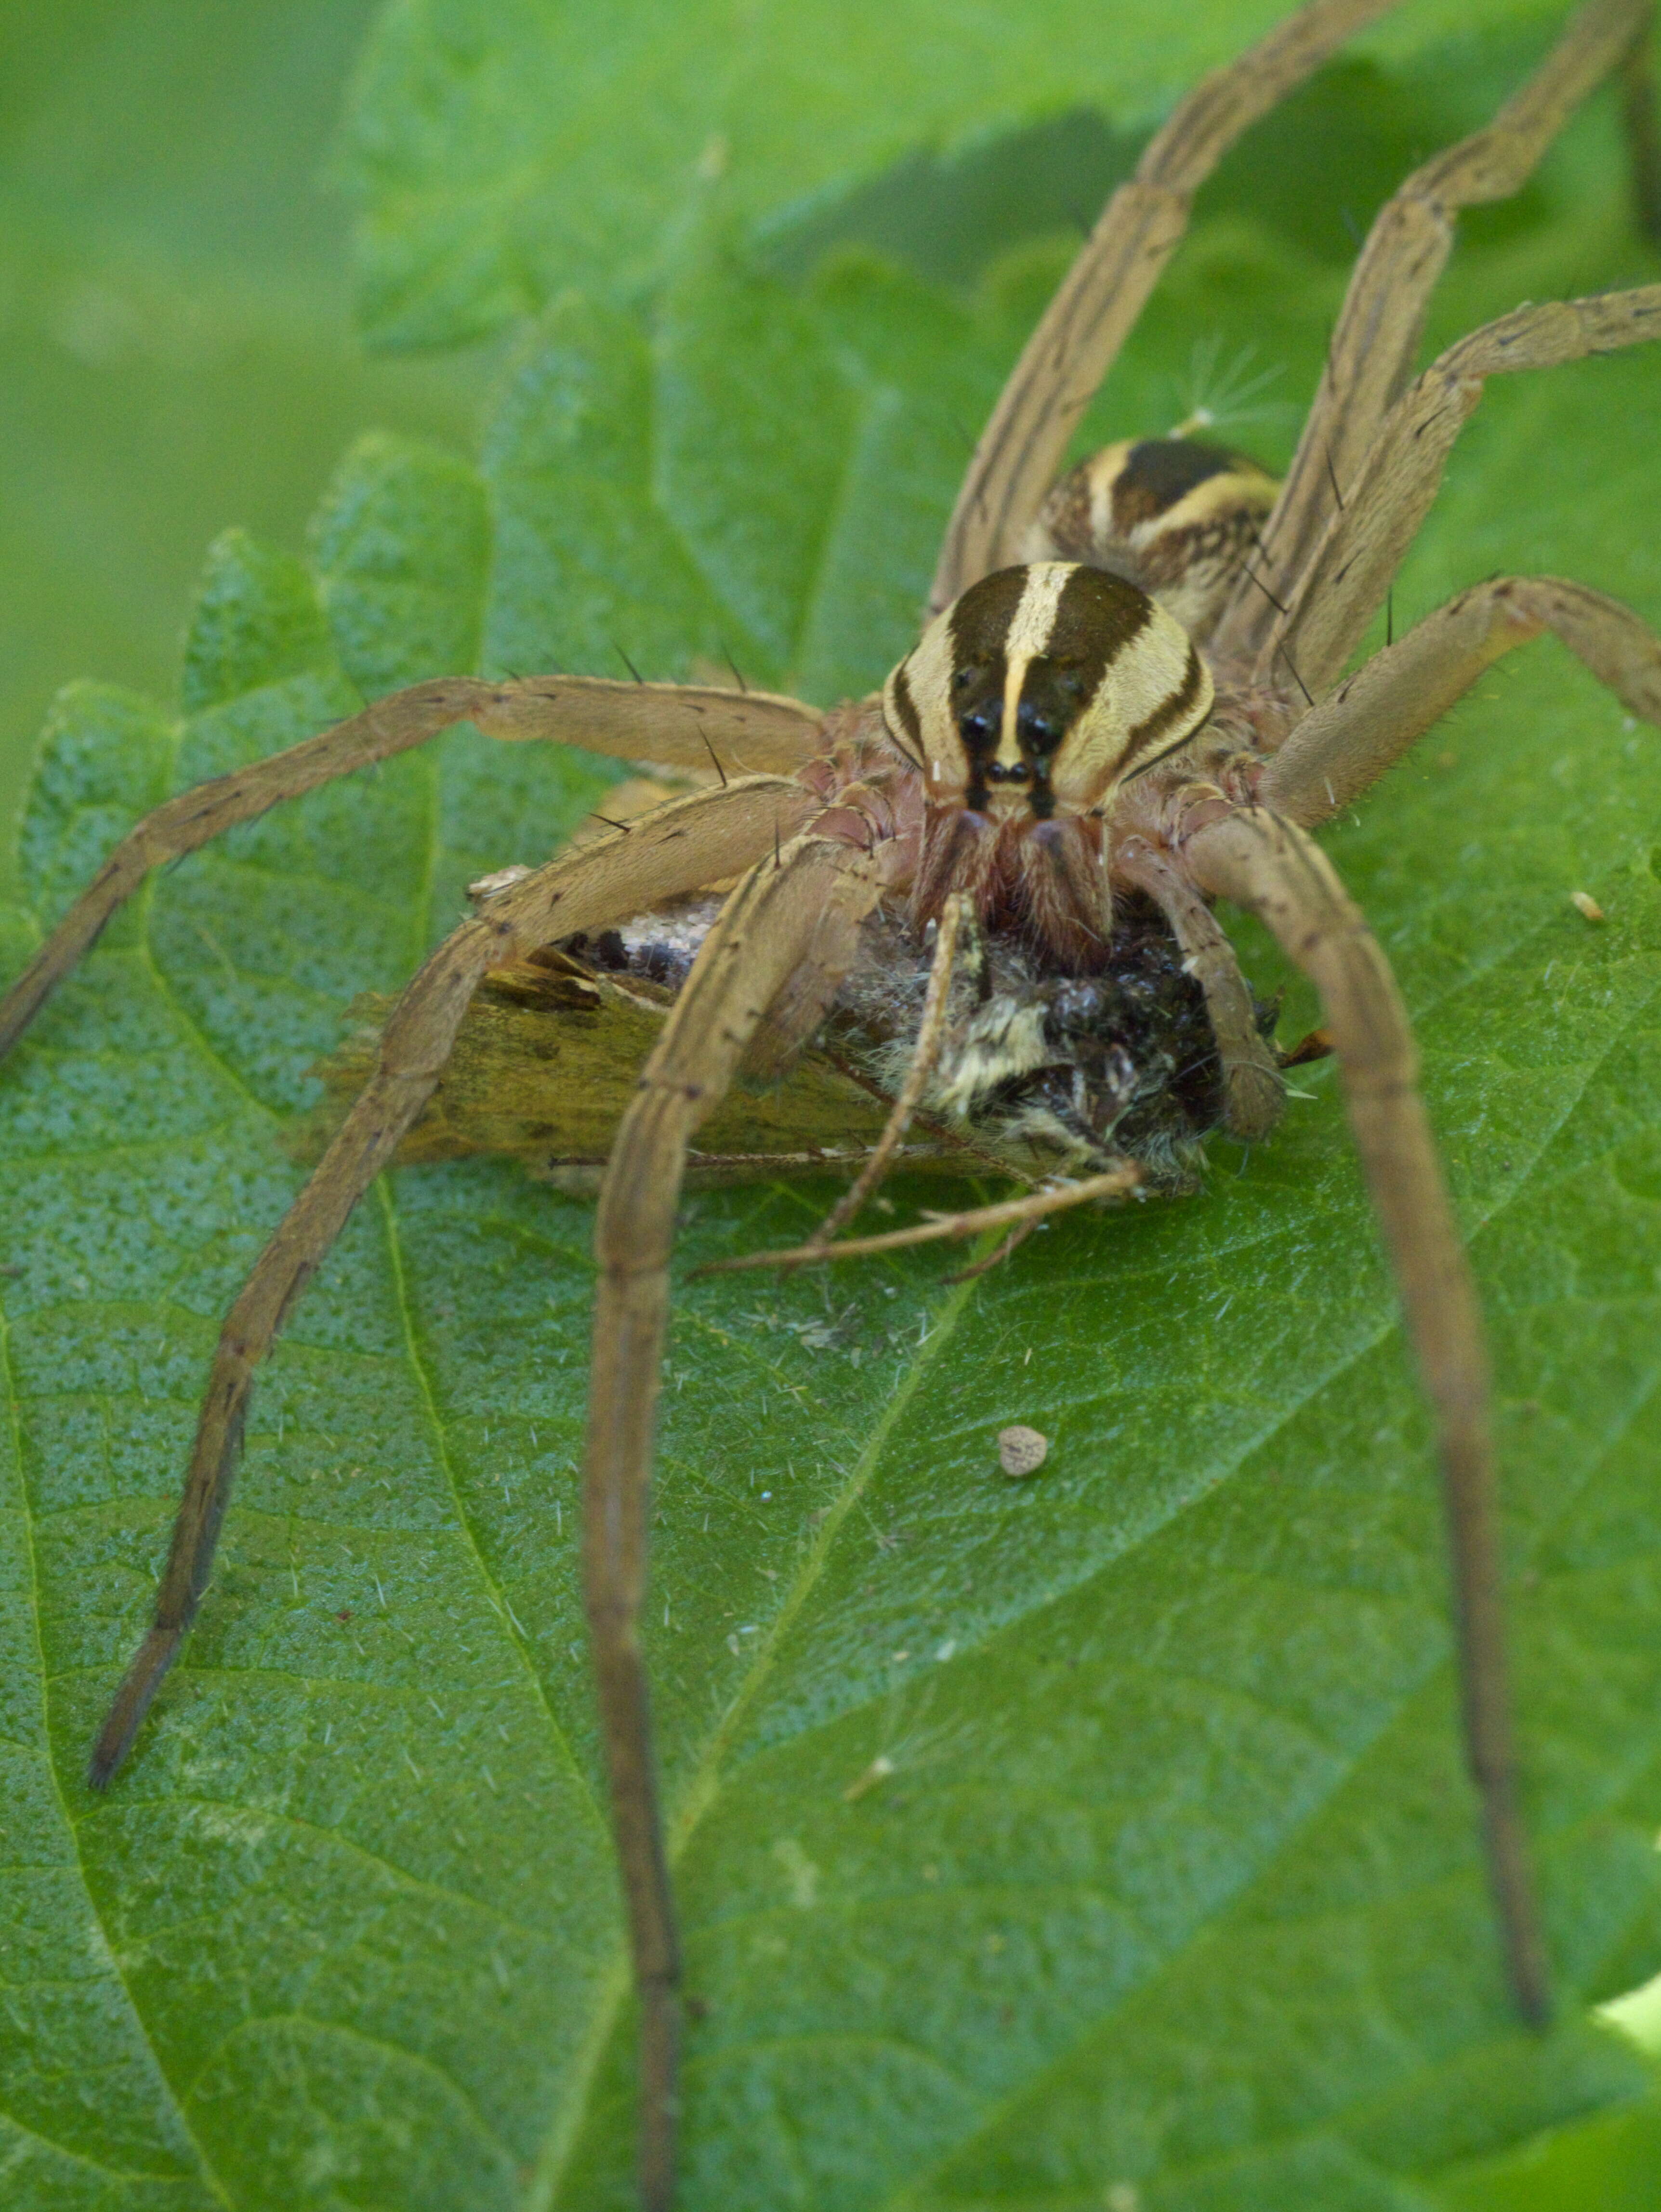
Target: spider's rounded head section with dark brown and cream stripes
1041	691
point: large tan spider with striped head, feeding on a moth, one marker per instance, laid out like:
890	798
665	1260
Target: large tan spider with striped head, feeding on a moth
1129	702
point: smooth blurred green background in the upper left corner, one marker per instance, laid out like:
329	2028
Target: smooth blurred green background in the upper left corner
176	333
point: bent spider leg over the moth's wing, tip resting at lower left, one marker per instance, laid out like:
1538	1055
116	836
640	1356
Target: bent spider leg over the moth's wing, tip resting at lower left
685	846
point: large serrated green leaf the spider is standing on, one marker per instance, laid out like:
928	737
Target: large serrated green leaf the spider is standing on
1087	1841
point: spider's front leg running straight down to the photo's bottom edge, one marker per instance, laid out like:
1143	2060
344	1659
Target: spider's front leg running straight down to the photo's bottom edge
797	915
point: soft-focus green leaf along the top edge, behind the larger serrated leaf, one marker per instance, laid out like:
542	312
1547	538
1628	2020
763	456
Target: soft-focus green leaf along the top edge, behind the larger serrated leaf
501	149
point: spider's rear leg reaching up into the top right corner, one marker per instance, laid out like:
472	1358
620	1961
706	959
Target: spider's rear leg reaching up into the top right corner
1383	317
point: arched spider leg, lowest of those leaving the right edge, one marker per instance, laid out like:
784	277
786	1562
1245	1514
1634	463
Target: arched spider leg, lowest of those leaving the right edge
1355	735
